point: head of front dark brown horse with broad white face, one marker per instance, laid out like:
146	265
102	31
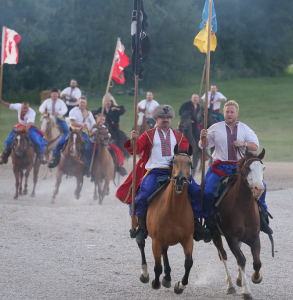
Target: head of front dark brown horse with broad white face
252	172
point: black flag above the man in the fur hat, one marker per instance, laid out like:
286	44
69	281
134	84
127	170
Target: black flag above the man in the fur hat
141	44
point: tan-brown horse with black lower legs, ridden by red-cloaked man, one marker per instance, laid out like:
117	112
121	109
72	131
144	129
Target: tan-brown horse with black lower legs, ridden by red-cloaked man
170	221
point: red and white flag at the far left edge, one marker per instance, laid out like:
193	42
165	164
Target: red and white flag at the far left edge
10	39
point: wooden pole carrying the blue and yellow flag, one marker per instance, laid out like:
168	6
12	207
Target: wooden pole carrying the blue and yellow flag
208	57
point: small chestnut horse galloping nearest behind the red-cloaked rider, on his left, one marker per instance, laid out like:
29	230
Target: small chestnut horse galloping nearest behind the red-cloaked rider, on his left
103	166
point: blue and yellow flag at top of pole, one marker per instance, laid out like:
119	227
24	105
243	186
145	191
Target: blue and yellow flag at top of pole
201	40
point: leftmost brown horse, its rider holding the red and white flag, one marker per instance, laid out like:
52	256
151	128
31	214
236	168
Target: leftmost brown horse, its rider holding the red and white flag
23	158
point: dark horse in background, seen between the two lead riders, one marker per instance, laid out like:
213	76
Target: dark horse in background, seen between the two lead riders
185	126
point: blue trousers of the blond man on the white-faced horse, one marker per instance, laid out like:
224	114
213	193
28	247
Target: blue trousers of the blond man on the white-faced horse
210	180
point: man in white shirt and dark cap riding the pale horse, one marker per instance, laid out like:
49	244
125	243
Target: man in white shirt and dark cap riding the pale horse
57	108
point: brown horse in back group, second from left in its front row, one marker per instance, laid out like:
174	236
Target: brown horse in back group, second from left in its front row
72	162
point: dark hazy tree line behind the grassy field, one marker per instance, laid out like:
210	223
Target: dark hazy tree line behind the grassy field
76	38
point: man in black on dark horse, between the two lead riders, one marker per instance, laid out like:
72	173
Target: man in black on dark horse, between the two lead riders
195	111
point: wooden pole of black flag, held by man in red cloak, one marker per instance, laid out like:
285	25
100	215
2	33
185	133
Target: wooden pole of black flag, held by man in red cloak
137	58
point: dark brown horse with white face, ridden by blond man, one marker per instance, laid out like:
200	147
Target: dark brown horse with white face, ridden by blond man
240	222
